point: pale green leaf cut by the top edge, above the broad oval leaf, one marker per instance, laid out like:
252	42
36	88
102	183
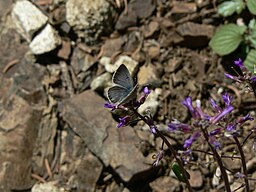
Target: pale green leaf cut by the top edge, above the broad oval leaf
227	8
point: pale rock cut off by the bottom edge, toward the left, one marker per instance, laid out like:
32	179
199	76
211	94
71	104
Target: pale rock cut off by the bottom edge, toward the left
47	187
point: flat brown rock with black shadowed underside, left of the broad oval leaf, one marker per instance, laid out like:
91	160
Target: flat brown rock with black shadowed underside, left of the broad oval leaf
195	35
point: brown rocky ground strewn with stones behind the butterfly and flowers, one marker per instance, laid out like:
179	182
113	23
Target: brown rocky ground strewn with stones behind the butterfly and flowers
56	62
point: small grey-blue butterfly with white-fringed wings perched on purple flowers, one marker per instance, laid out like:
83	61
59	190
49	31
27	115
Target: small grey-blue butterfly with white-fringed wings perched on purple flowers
124	89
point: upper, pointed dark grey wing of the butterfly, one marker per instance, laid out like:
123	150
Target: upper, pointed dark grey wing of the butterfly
123	78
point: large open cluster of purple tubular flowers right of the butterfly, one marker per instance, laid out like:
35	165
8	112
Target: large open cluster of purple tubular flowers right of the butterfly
216	125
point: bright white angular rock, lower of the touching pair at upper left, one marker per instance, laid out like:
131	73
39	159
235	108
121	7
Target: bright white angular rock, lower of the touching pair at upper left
47	40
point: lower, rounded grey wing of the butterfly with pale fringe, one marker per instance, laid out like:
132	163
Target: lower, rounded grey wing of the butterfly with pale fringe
117	93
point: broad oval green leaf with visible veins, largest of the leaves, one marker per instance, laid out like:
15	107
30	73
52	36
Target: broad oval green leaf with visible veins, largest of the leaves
227	39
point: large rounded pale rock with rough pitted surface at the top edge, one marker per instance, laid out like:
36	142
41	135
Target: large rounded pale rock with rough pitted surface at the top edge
90	19
